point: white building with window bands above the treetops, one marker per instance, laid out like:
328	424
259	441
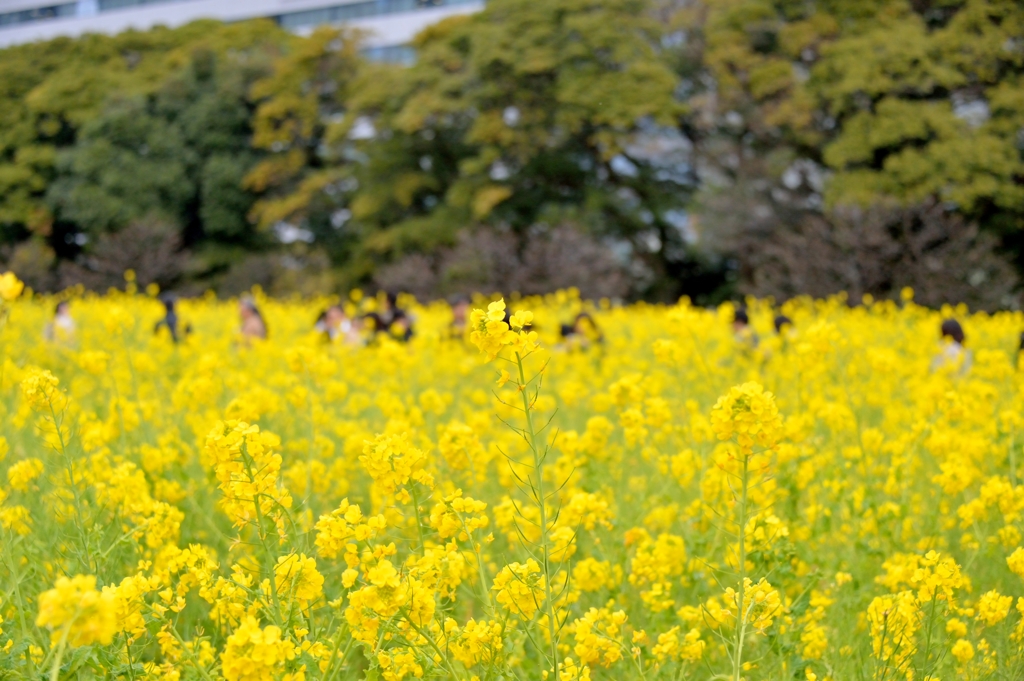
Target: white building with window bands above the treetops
391	24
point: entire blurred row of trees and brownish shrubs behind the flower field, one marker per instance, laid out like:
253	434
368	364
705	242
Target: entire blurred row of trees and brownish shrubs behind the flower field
679	147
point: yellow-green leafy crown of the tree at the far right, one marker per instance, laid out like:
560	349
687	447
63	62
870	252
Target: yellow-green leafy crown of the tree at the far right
903	101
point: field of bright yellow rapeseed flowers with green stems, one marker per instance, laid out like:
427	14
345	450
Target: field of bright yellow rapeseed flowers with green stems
668	504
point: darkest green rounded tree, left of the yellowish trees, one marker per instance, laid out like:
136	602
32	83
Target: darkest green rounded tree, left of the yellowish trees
178	155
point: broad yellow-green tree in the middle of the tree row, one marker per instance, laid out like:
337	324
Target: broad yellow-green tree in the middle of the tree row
513	117
